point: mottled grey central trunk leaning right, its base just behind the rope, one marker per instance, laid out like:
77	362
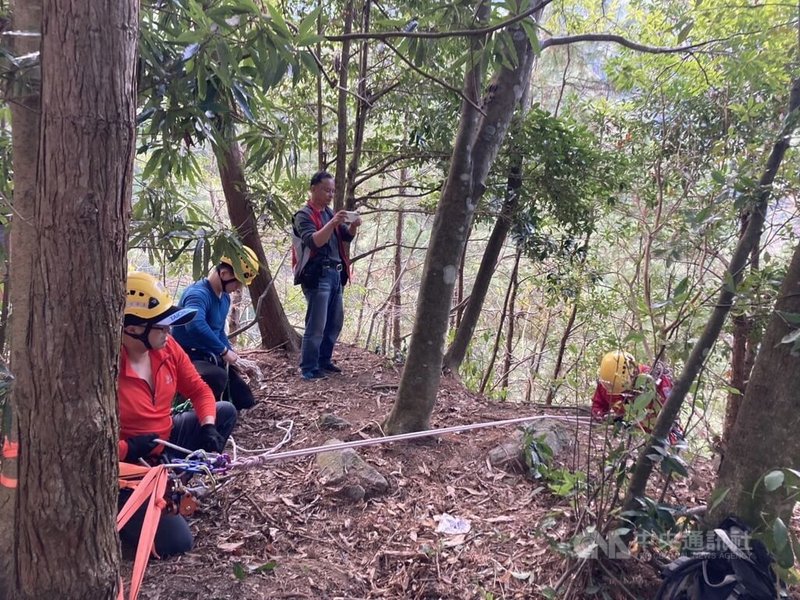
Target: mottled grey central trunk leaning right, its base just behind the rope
477	143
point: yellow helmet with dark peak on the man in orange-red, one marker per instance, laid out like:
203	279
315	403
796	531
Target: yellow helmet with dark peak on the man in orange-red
147	302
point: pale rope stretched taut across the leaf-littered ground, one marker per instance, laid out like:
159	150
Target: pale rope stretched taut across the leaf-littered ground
254	461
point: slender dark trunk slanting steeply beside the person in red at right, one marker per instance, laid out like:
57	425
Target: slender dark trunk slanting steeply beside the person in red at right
733	275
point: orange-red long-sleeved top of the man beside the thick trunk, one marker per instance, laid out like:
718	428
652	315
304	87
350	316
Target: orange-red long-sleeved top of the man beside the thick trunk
142	410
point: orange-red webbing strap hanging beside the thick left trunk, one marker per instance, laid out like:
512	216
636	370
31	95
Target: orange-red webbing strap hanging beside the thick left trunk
151	489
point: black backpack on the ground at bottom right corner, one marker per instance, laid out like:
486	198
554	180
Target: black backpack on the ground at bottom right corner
721	569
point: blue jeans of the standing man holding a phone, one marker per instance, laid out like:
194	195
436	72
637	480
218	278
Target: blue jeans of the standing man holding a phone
324	319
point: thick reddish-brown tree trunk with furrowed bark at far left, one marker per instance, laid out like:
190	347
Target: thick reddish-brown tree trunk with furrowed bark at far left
65	335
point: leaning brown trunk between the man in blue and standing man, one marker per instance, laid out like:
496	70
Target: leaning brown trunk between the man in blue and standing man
274	326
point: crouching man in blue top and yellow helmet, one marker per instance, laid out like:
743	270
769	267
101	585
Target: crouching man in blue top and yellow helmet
204	338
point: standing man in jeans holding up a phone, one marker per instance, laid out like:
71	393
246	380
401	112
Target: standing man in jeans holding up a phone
322	269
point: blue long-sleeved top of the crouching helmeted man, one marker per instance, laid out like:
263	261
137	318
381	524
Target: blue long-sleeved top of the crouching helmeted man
205	334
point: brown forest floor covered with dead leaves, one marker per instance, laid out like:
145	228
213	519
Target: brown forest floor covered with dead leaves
277	532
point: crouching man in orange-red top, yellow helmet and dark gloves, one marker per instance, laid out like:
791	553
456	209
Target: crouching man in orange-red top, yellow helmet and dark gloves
153	367
